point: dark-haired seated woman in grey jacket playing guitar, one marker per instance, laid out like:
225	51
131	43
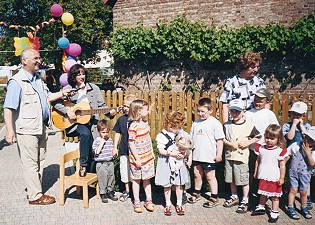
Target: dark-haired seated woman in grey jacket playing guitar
85	92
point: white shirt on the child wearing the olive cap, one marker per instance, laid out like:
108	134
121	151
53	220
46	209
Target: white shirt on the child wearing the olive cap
261	119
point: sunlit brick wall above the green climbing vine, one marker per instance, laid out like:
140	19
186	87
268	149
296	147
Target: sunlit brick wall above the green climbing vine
234	13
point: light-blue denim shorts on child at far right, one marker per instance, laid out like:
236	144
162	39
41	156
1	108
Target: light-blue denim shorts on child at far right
299	181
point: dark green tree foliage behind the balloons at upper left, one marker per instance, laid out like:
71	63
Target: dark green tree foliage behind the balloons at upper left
92	24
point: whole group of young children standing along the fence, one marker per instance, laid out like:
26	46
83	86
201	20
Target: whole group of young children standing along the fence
252	144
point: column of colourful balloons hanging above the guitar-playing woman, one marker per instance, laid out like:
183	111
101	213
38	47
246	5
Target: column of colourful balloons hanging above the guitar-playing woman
72	49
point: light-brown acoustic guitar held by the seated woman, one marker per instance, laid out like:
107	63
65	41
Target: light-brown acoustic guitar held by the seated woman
82	110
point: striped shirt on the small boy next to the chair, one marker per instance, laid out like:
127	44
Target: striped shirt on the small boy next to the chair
106	153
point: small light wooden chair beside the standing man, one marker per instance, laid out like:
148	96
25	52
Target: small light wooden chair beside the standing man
75	179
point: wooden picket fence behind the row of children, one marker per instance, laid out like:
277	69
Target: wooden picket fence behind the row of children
185	102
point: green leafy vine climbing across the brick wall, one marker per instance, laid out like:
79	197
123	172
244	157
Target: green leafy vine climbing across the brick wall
182	39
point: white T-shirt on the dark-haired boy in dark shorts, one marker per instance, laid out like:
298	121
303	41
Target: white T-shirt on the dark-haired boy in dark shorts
204	134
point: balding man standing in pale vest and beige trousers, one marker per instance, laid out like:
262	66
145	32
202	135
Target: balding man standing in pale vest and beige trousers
26	114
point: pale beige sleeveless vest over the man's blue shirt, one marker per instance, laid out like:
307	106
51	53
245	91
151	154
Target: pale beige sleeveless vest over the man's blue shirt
28	117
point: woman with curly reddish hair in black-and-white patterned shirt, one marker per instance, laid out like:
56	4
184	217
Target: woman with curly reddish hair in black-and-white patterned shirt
244	85
